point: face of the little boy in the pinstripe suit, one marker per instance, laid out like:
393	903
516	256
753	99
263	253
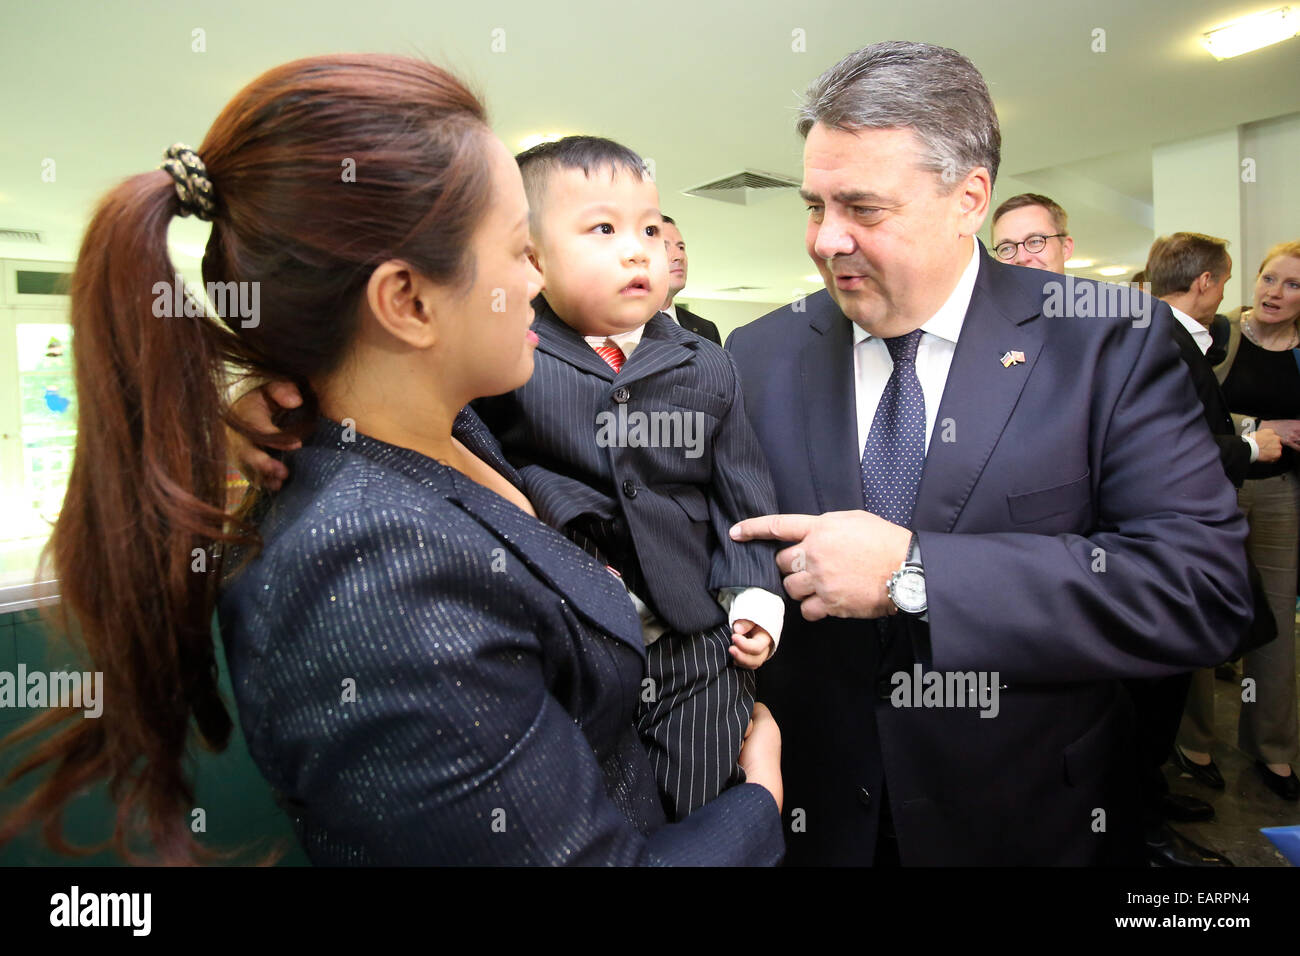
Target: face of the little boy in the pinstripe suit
601	250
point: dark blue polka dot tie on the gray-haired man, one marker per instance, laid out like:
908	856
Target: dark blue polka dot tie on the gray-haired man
896	444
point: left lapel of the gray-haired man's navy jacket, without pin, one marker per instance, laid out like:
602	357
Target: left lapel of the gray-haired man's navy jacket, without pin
830	409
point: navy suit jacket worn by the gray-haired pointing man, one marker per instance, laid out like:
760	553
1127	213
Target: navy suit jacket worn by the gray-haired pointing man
1090	455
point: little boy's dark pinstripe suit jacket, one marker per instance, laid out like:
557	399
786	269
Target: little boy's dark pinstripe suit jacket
677	508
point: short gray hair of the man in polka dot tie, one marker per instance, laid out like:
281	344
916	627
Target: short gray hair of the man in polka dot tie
931	90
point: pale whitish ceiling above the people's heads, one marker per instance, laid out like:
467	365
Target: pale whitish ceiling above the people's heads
704	88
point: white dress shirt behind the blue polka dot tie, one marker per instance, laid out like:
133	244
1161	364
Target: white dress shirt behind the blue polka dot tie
873	366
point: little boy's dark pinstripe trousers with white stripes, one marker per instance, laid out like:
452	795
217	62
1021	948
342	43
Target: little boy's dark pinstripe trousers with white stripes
697	704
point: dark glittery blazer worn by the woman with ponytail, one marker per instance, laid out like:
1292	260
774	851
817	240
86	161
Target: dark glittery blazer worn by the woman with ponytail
428	676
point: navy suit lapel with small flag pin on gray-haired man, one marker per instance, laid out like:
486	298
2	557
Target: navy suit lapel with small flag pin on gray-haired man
981	393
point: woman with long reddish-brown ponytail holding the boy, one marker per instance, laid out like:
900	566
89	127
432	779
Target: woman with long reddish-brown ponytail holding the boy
367	211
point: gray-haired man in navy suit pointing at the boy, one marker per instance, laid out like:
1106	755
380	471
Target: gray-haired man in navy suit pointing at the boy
994	478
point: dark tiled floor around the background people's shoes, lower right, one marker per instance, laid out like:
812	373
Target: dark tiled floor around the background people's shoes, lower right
1246	806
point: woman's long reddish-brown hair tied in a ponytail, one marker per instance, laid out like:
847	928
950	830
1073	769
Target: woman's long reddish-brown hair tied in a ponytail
148	481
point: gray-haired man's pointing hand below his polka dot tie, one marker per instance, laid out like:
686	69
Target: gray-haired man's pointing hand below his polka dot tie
840	563
